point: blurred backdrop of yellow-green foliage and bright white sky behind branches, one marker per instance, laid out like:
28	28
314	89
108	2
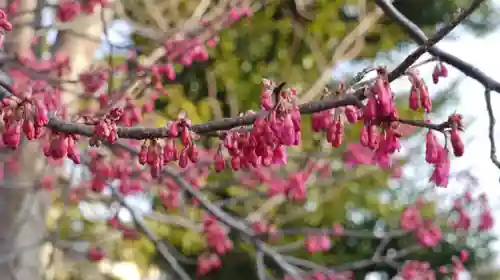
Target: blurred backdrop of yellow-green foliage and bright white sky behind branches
308	44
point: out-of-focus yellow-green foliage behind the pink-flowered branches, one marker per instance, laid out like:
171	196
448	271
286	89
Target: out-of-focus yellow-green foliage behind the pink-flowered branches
268	45
